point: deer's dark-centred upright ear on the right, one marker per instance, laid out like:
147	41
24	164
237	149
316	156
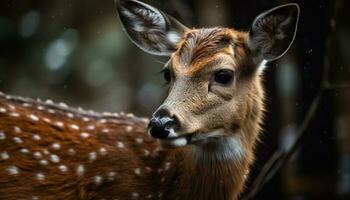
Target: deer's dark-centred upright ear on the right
273	32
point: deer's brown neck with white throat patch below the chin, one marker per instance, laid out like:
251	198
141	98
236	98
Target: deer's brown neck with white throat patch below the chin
215	170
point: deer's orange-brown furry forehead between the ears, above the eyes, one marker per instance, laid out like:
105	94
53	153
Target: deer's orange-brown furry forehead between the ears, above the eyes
203	48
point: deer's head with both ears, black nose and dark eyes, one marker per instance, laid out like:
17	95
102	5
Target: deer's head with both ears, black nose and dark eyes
212	72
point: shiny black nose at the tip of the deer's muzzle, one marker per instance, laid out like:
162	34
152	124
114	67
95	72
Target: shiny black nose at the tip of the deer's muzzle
160	125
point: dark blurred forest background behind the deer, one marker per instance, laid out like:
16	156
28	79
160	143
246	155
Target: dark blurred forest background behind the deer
75	51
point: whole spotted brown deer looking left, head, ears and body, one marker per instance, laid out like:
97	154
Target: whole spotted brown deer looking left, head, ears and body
199	143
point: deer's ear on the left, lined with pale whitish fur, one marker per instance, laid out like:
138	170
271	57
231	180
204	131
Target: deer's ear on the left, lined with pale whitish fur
149	28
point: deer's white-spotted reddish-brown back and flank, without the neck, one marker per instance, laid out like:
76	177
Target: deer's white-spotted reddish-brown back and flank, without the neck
57	152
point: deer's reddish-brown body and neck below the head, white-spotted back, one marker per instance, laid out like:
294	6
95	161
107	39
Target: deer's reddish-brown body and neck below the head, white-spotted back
50	151
